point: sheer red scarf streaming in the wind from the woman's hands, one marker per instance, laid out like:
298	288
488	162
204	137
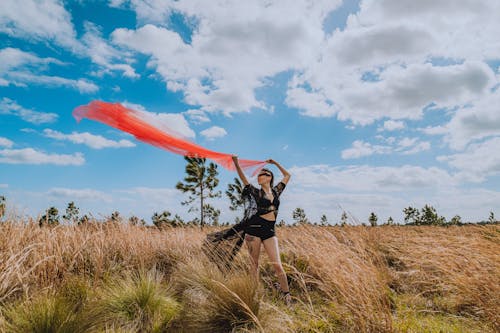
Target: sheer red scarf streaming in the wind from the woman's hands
137	124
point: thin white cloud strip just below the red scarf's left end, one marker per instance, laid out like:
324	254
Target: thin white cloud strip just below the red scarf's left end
91	140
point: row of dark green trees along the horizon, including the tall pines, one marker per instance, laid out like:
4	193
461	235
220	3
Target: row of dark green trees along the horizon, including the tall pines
200	184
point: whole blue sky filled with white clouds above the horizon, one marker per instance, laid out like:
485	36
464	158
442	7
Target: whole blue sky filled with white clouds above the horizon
372	105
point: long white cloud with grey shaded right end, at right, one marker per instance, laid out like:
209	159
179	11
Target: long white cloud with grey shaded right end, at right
403	91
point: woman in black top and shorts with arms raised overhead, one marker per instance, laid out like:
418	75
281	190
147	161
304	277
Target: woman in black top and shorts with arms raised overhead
261	219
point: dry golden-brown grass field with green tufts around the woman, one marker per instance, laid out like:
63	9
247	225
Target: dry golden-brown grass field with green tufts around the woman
108	277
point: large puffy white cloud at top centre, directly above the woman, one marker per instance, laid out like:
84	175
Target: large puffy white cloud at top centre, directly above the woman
277	36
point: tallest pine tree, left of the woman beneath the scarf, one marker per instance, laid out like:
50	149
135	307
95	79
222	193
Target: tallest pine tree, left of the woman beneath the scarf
200	183
